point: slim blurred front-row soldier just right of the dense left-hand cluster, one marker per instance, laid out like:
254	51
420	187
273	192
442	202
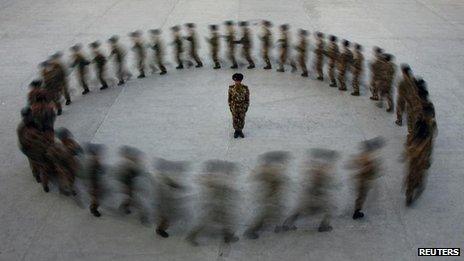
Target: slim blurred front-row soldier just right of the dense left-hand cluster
95	171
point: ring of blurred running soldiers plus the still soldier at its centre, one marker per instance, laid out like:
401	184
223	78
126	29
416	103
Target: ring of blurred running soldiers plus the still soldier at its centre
56	157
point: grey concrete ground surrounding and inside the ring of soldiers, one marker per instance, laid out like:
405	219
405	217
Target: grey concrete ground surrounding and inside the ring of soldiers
183	116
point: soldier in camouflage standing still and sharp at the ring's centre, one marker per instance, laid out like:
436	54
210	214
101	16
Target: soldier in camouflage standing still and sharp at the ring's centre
239	100
